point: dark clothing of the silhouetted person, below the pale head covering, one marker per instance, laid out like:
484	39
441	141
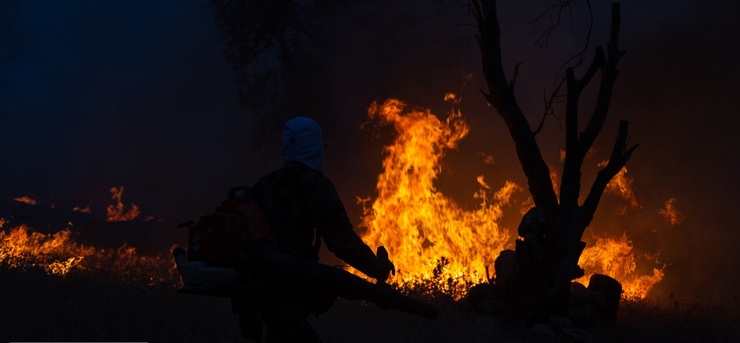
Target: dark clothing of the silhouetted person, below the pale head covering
305	210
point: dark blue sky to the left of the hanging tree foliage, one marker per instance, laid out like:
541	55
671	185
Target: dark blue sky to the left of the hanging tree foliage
97	94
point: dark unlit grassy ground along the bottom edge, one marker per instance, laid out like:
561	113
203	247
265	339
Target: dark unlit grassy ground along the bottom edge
85	306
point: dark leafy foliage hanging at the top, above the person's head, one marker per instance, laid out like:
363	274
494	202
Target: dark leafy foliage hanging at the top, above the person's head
279	52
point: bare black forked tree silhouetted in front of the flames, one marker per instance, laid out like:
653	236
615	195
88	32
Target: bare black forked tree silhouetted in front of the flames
546	281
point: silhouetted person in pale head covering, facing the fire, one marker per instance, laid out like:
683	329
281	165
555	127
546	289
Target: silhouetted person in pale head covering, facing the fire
308	210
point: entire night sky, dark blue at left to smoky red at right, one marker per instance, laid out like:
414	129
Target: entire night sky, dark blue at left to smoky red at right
137	94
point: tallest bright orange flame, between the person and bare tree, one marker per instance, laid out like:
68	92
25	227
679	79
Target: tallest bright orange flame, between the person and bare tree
429	236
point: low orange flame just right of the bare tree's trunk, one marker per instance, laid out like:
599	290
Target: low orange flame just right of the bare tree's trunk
615	258
